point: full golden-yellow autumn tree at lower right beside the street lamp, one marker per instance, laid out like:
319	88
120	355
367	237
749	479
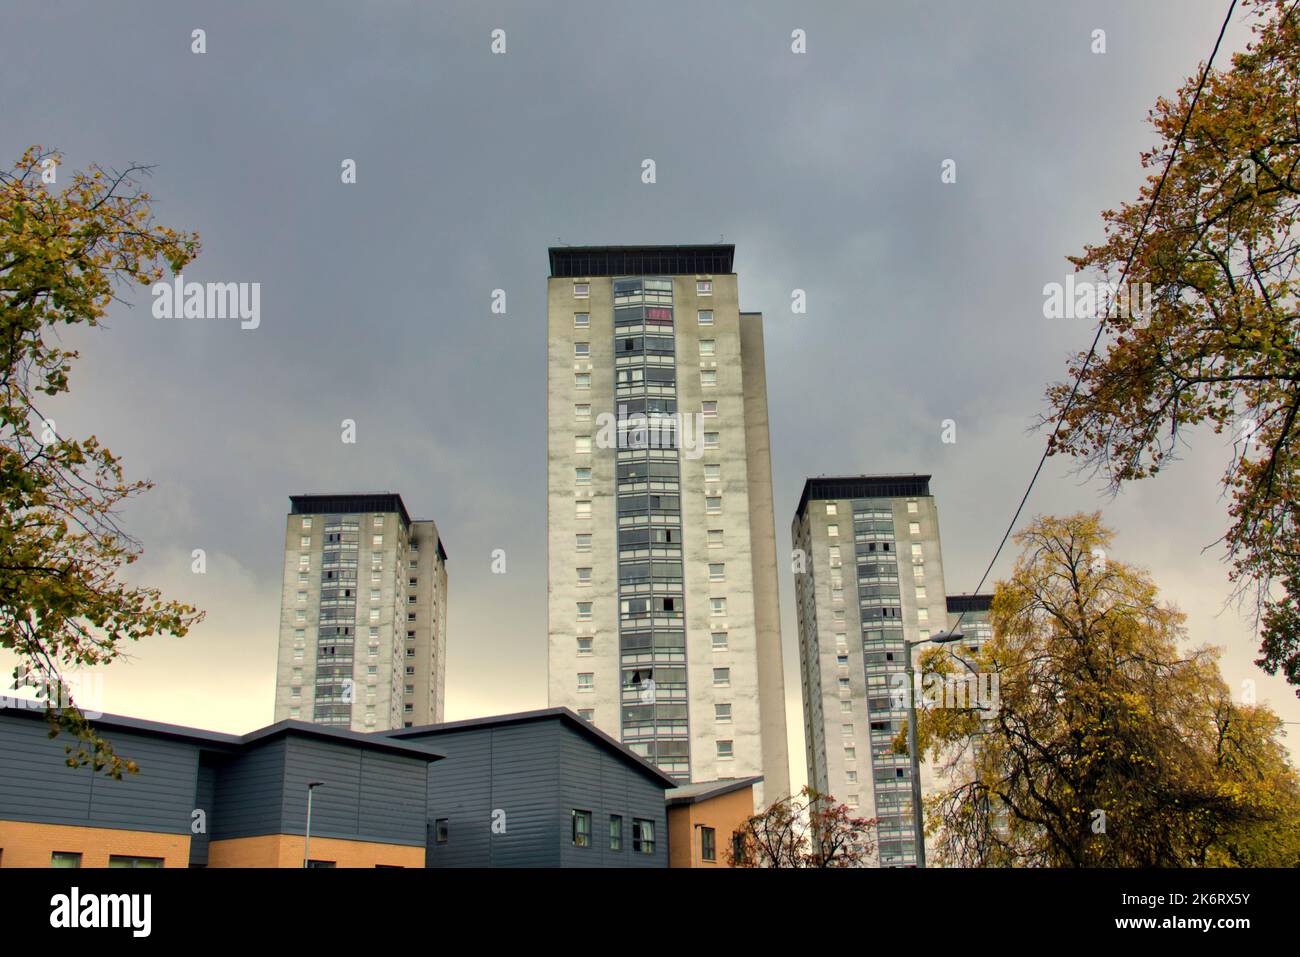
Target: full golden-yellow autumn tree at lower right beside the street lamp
1111	744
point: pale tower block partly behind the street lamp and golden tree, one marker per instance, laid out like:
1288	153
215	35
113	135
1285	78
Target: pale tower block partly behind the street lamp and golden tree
870	577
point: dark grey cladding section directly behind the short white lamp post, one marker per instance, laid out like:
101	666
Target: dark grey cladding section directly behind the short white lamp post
336	806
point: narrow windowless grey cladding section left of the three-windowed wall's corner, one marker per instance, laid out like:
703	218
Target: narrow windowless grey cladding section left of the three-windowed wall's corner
525	778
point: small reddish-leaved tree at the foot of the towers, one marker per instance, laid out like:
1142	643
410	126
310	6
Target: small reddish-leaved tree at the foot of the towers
805	830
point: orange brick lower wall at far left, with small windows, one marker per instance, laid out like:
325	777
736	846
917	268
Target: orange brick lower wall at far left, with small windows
24	845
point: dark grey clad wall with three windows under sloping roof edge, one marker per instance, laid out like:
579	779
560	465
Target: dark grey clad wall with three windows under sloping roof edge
592	778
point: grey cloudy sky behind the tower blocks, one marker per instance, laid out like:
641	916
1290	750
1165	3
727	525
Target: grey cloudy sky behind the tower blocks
925	300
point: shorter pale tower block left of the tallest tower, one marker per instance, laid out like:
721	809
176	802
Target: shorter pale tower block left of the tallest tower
363	623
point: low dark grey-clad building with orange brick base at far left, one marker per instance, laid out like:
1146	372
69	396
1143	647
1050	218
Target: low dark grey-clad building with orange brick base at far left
203	799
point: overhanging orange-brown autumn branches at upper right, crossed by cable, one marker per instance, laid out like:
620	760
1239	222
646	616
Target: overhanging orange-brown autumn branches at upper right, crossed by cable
1220	345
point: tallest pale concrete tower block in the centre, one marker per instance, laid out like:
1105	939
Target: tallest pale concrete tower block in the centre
664	621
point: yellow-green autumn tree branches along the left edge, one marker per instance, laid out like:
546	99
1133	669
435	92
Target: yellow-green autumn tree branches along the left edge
64	256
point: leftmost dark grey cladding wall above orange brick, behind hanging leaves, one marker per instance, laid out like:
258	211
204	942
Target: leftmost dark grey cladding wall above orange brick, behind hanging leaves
37	785
